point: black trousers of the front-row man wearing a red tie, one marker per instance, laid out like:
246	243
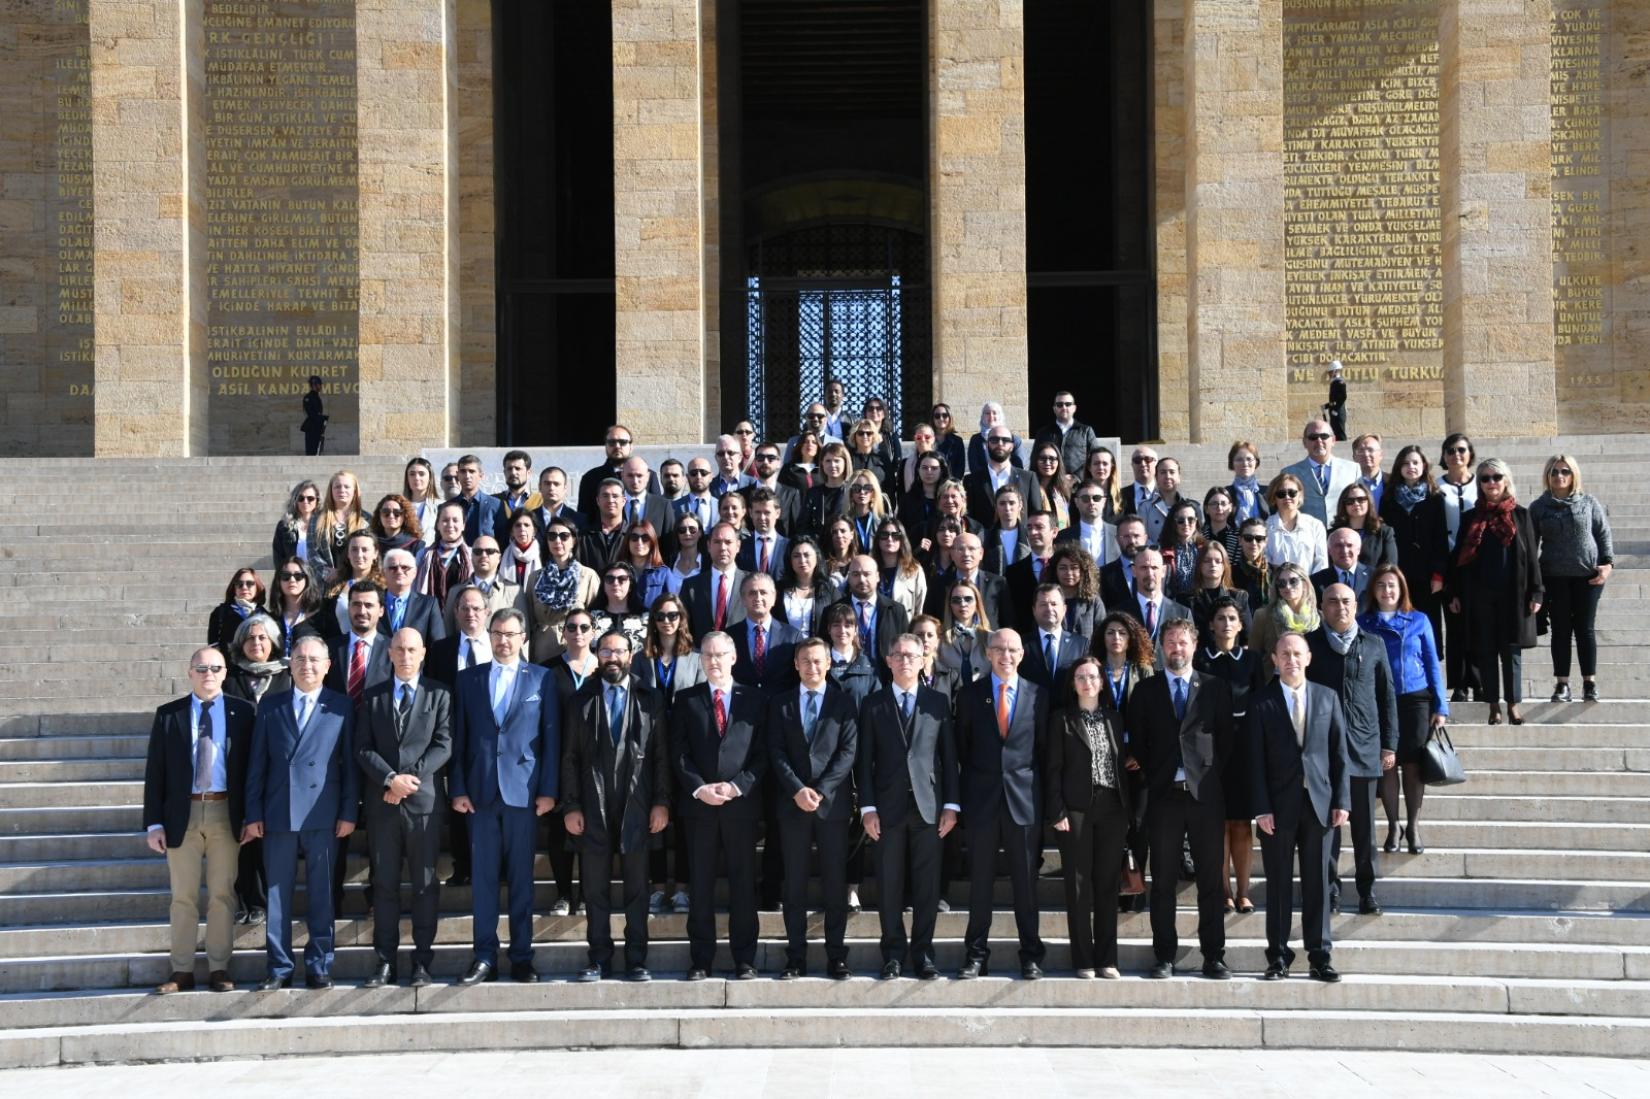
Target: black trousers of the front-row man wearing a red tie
712	834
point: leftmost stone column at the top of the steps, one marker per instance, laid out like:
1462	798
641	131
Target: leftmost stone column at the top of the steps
149	243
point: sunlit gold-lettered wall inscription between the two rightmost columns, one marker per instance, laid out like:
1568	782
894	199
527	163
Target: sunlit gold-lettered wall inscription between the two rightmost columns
1362	229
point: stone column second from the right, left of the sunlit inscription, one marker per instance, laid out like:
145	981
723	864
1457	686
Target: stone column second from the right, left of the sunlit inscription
1235	220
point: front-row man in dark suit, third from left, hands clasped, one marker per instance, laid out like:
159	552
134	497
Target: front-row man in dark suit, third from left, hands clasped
403	740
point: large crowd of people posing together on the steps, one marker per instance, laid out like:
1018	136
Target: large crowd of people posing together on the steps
898	664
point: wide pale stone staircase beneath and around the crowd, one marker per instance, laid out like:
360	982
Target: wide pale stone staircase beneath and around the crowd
1525	927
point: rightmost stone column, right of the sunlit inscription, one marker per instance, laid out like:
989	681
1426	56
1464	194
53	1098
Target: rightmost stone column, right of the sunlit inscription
1497	204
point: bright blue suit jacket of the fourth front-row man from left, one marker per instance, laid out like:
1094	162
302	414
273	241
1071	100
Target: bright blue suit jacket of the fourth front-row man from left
519	762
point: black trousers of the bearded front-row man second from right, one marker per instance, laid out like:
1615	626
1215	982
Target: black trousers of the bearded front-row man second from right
1171	821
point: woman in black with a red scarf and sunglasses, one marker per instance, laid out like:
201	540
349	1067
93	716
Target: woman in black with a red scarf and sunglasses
1496	578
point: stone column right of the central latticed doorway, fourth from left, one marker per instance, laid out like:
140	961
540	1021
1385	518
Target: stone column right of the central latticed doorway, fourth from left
979	207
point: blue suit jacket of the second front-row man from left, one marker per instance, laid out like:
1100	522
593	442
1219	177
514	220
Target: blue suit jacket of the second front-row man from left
303	783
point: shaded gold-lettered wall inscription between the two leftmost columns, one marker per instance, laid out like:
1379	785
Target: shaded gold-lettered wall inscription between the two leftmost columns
281	219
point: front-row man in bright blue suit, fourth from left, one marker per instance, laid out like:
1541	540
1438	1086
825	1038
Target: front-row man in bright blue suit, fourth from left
506	775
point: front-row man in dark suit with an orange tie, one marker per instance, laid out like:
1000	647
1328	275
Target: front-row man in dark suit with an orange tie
1002	720
